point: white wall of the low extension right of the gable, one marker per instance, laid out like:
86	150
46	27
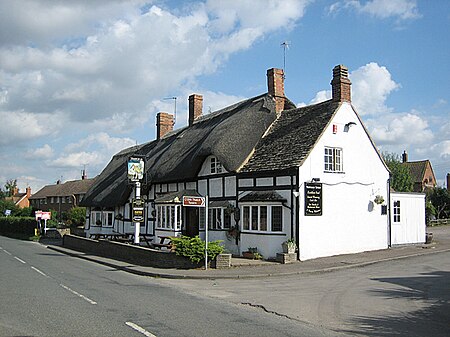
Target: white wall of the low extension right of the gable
412	225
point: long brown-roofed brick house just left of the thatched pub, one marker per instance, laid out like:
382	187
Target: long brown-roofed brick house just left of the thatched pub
61	197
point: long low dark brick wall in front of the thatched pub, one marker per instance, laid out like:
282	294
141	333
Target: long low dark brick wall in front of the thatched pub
141	256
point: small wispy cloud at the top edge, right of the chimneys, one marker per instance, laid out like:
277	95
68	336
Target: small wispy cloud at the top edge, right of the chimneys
382	9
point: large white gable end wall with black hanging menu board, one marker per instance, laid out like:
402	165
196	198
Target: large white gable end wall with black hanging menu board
351	222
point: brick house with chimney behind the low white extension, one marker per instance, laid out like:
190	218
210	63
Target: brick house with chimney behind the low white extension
421	173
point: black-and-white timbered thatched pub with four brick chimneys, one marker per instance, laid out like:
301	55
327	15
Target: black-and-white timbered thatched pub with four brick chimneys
271	172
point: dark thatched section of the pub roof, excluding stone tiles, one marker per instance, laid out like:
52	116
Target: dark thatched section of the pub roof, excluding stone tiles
230	134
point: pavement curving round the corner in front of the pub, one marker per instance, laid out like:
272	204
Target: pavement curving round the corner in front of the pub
245	268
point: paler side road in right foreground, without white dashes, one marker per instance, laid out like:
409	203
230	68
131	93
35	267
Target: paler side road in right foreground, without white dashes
406	297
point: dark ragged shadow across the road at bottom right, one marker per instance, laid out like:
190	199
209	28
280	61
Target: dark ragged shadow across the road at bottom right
432	288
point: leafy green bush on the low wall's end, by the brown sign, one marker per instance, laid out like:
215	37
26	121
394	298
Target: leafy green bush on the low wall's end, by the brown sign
194	248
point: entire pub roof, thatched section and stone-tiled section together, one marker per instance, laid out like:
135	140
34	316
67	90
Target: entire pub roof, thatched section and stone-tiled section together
246	137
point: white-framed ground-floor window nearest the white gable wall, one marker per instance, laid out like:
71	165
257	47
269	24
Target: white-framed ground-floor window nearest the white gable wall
262	218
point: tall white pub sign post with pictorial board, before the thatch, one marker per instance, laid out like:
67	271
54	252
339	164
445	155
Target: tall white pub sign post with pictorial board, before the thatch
135	174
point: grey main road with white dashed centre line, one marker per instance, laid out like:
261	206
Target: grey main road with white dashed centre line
45	293
